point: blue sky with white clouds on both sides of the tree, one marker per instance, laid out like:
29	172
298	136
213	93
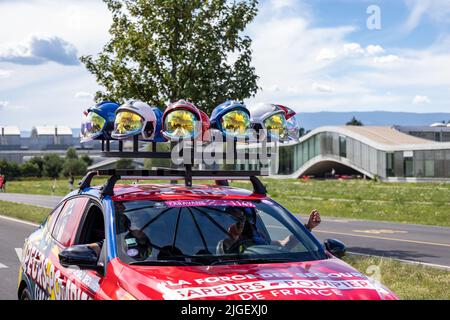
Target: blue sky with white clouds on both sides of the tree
311	55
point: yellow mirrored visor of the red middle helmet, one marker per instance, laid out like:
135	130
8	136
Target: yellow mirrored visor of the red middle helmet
180	124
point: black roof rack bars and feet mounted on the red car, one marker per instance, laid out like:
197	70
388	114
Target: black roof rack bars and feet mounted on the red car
187	174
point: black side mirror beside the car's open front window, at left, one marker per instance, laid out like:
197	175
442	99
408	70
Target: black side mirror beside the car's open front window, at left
82	256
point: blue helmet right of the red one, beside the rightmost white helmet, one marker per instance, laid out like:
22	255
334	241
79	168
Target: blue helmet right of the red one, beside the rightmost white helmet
231	118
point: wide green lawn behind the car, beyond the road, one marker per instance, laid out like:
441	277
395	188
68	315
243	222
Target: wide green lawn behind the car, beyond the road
420	203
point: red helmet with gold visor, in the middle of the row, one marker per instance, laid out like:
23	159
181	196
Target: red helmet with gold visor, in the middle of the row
183	120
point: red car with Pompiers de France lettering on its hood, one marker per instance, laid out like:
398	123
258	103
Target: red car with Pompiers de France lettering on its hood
176	242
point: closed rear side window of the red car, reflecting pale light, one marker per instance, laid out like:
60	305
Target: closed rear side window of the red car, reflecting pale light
68	219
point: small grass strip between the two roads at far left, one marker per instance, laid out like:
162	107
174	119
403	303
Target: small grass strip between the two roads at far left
24	212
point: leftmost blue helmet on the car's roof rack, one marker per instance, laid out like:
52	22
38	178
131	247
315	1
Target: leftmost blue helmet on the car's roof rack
99	121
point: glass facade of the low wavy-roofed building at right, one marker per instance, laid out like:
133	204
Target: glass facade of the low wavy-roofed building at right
294	158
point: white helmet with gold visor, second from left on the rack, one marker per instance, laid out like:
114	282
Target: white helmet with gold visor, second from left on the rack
136	117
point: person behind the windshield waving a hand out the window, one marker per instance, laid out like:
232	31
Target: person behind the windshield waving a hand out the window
244	230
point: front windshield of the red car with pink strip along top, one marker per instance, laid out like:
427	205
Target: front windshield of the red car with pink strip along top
210	232
